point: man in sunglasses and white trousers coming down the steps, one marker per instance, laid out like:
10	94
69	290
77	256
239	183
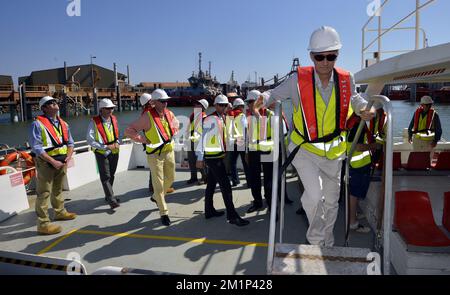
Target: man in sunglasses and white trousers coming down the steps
321	96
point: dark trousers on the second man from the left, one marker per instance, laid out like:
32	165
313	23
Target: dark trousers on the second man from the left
107	167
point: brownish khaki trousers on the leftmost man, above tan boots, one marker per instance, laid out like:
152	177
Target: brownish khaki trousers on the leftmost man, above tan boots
49	185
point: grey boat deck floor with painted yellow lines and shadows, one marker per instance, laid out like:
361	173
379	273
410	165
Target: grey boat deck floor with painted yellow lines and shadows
133	236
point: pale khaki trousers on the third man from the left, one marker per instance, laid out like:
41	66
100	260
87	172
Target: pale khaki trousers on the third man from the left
162	169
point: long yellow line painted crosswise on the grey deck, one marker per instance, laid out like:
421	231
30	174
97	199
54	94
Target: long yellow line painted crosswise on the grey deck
169	238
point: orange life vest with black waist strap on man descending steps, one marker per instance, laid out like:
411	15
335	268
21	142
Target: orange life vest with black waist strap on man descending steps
307	87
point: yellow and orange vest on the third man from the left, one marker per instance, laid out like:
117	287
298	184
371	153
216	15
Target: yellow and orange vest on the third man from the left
161	132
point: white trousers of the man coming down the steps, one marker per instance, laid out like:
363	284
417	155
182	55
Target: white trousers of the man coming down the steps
321	179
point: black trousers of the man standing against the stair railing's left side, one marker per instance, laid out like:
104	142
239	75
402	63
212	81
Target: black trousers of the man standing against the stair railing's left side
254	164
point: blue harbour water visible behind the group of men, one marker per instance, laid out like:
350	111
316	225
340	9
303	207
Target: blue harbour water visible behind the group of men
17	134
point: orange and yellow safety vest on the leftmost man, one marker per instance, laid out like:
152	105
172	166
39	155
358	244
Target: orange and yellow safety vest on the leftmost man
54	139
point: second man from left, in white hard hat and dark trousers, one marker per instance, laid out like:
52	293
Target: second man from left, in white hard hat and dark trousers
103	136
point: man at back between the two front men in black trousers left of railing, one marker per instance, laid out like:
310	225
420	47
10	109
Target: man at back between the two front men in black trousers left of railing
238	134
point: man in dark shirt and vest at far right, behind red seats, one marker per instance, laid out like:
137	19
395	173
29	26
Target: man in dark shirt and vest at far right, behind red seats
425	129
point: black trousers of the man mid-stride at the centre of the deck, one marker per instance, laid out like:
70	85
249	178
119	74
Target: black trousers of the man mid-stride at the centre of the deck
218	174
